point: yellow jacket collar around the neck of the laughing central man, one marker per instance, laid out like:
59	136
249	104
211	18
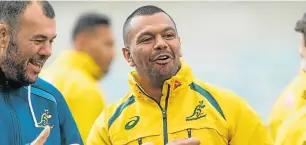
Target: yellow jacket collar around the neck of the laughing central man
182	79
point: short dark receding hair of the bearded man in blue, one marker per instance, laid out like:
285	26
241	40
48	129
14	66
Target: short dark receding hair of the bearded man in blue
10	12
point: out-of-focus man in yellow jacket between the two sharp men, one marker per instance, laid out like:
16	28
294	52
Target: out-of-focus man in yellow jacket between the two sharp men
76	72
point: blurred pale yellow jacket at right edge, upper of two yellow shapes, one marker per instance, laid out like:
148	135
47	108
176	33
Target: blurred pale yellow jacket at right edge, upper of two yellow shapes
292	99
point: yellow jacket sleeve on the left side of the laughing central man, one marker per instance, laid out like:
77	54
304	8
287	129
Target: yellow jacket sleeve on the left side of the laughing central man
99	132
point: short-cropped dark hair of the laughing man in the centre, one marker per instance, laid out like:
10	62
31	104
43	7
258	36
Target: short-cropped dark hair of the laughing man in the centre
142	11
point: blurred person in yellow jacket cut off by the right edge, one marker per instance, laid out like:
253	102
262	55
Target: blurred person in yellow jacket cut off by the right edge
294	96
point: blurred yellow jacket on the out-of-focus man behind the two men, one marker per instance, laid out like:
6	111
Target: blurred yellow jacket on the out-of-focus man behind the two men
74	74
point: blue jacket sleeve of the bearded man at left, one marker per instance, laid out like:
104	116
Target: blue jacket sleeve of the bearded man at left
69	130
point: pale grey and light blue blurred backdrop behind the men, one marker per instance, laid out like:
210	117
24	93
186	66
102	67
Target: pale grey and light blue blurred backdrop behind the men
248	47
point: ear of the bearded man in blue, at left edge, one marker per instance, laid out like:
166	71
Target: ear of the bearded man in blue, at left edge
4	37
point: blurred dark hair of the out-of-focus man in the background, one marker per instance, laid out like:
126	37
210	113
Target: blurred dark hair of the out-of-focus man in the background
88	21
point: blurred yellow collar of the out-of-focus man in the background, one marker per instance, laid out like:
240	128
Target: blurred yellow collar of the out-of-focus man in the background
79	60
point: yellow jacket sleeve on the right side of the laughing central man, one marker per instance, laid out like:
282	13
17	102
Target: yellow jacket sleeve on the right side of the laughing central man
248	128
